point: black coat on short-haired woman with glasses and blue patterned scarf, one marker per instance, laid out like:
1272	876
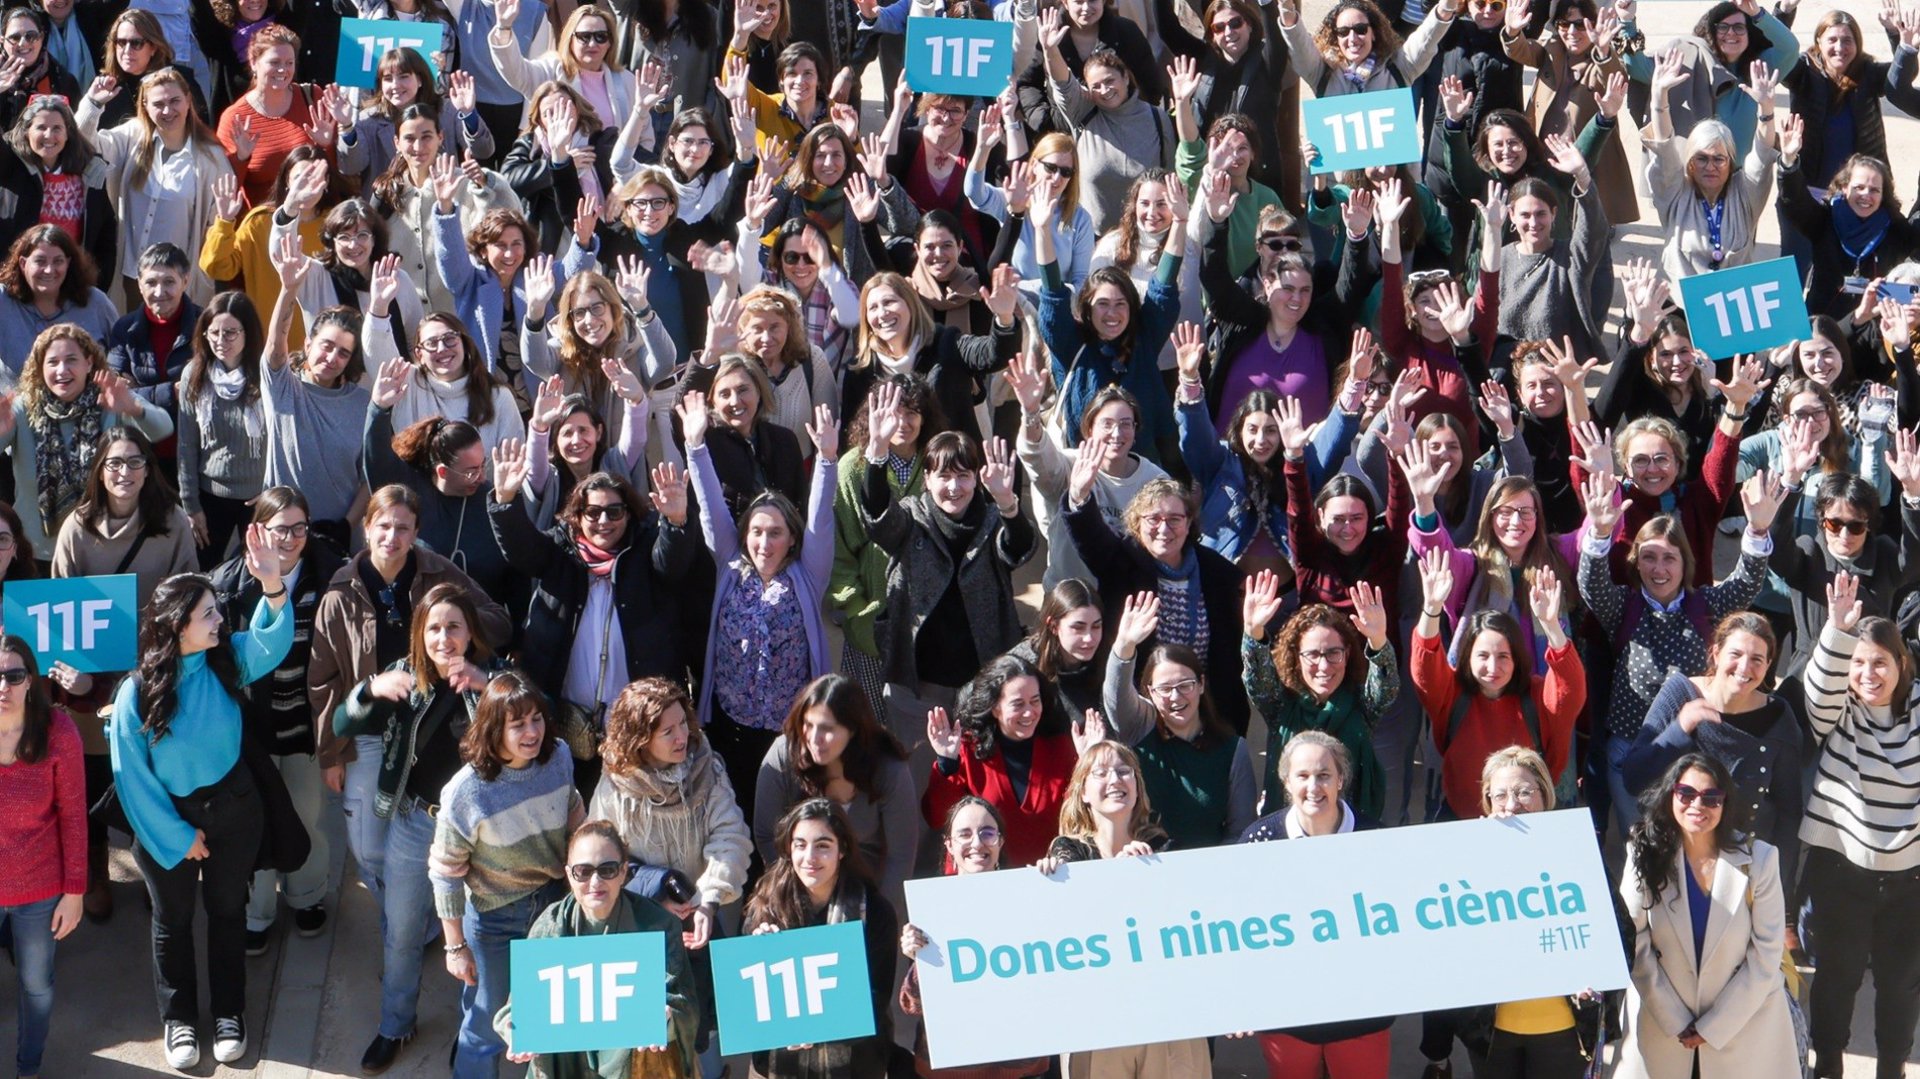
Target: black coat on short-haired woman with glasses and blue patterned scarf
1122	567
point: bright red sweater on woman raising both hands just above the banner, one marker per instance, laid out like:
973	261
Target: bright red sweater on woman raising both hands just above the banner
1495	725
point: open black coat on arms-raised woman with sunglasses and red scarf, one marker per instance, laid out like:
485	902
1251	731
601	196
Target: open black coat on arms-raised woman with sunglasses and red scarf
648	594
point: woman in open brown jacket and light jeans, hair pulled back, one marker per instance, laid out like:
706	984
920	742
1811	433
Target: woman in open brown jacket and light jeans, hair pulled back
360	629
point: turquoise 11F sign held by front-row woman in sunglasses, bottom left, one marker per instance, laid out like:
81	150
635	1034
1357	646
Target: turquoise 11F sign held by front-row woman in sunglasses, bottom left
588	994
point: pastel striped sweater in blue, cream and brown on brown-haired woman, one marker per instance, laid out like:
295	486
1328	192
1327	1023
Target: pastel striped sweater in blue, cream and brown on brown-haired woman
502	840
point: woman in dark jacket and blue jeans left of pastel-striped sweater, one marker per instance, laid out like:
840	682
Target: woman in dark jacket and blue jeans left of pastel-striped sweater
418	707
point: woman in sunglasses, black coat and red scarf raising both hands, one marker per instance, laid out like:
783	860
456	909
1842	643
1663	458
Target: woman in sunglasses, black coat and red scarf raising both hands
592	629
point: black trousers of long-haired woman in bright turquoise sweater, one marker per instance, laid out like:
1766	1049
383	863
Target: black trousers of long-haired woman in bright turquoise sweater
229	813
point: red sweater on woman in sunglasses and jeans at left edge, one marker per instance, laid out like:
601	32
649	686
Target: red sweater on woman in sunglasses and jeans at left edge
43	821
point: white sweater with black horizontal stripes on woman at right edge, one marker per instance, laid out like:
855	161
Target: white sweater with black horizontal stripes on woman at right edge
1863	796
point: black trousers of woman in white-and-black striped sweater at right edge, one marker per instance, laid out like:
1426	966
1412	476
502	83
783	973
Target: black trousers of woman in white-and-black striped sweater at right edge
1863	919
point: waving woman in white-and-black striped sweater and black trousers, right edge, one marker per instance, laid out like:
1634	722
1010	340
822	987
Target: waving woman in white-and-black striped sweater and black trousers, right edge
1860	830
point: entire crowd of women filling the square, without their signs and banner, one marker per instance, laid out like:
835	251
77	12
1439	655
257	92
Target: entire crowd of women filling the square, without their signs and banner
594	471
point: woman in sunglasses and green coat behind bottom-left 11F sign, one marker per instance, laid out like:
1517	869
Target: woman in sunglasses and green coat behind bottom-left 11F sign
598	903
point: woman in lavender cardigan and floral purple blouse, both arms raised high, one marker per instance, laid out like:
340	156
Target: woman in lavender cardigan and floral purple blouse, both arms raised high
769	636
